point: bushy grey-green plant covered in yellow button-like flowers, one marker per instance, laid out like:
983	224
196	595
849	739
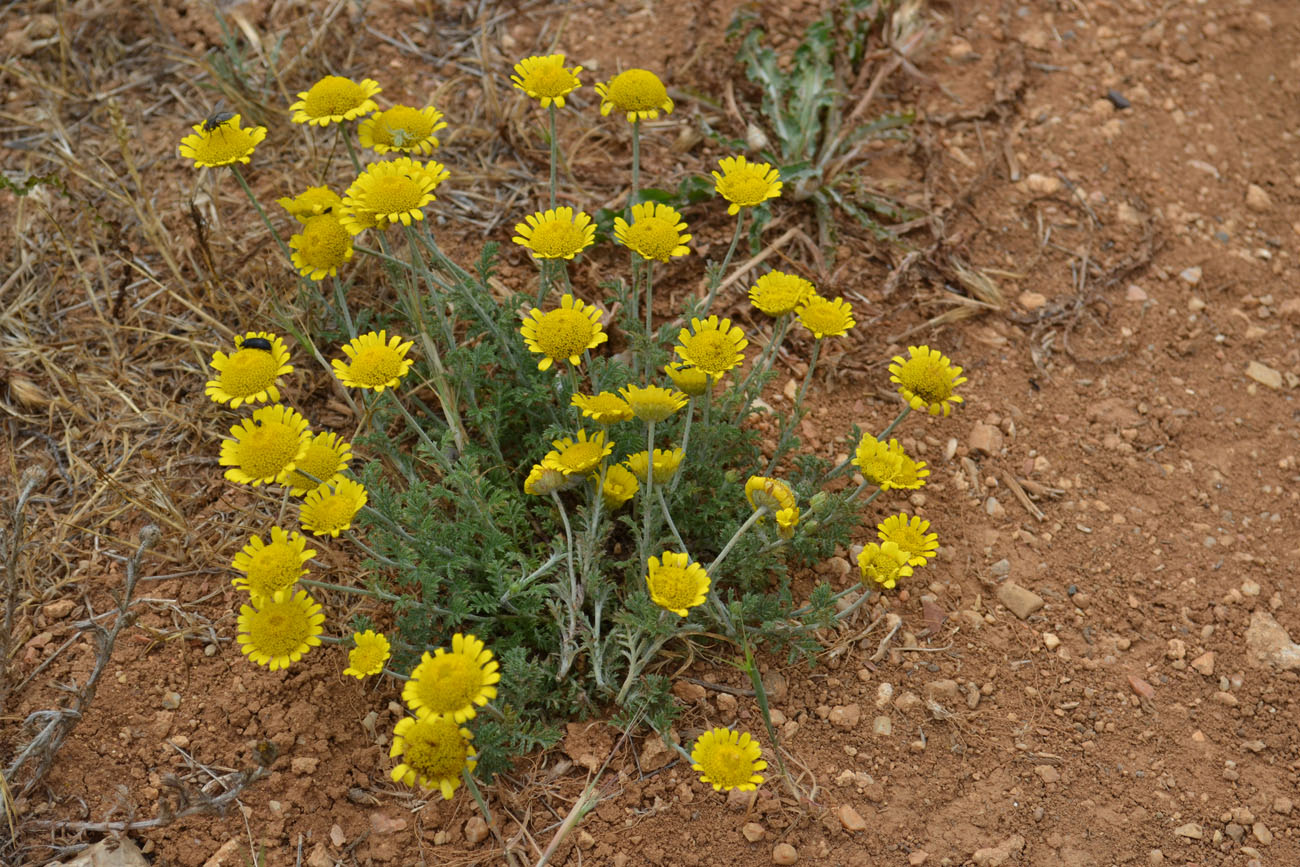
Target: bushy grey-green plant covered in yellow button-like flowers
548	496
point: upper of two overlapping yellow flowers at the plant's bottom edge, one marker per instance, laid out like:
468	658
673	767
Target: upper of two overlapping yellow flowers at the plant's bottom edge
453	683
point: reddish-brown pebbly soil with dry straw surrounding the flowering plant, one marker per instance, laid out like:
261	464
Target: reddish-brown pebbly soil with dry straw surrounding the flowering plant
1087	679
